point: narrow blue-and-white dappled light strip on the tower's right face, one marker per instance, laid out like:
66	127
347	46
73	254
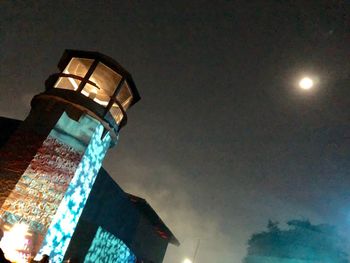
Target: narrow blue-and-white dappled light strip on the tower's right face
66	218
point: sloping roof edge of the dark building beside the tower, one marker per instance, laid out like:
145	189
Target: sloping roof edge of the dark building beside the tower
160	227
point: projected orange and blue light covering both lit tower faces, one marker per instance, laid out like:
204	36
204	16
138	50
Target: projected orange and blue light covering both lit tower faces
50	195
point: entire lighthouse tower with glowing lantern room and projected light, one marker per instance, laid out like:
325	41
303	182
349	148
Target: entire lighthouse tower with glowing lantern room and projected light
49	165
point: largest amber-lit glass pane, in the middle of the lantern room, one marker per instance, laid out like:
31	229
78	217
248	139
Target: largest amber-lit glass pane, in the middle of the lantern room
106	80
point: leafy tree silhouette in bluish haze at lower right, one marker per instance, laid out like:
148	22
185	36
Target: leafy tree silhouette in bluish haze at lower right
301	242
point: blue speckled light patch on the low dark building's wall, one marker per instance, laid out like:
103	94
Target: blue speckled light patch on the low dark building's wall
106	248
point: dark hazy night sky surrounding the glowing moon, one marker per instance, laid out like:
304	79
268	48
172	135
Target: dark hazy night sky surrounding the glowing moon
222	139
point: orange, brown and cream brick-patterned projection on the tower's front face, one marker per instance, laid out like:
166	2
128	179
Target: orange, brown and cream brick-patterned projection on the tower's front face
42	186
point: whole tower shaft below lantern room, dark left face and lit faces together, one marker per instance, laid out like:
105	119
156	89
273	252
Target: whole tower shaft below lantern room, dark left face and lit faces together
47	169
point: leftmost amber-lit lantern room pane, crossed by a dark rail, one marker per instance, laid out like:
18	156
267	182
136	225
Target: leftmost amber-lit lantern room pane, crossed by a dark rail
78	67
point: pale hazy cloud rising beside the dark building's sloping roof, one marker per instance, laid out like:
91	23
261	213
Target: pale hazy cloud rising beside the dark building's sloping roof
164	188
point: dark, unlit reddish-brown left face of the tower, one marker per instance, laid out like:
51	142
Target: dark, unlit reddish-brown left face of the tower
22	145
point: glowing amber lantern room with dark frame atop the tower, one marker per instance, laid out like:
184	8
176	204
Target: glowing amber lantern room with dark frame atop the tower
96	82
